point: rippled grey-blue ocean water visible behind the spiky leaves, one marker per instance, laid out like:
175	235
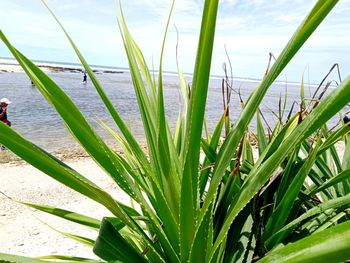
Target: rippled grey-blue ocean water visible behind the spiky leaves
33	117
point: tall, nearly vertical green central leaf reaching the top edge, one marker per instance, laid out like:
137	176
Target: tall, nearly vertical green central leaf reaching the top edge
189	188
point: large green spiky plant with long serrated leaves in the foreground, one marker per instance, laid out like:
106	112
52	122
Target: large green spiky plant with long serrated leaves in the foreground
290	205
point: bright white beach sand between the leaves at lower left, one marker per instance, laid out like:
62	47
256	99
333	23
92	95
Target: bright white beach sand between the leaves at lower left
21	231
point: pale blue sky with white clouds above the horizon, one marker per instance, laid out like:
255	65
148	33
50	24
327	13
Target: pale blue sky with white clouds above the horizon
247	30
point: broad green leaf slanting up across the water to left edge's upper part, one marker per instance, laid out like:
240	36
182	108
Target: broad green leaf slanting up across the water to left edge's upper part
75	121
